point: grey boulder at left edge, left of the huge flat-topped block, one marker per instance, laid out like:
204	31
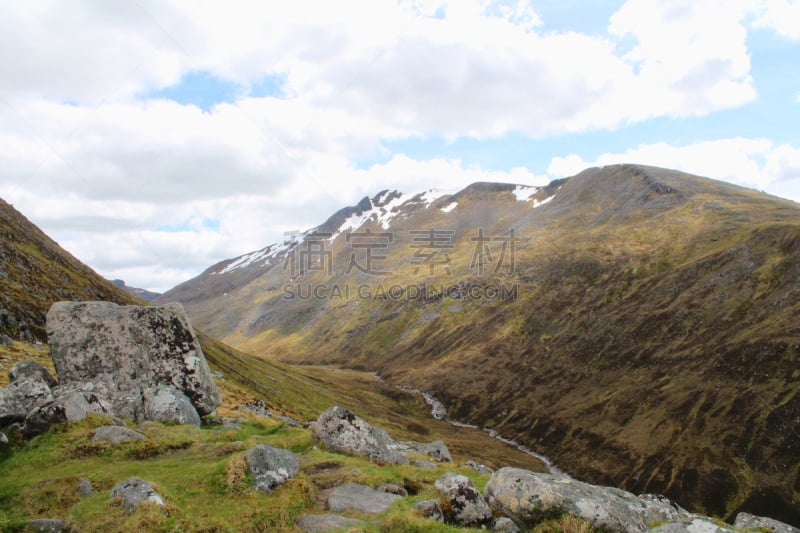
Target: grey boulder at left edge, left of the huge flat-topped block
28	388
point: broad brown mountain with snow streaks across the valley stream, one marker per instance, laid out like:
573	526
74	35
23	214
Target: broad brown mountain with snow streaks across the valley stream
637	325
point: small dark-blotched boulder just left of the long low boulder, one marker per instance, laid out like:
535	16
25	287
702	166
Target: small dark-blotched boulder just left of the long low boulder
461	503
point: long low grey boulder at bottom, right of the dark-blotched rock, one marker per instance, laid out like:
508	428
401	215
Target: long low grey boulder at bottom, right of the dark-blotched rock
528	498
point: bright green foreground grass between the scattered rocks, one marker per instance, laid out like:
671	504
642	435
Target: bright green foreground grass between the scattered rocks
200	474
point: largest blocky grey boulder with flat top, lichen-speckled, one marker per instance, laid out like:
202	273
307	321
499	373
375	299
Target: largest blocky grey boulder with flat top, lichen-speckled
124	350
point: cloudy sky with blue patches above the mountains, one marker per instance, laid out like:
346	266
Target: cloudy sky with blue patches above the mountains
154	138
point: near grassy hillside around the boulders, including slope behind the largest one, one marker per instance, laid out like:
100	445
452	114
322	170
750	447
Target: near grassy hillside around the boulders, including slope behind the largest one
199	471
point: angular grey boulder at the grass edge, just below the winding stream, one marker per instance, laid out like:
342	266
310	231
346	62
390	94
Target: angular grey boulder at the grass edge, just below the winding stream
342	431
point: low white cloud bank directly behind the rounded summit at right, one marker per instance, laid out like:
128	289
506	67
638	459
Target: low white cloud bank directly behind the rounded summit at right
755	163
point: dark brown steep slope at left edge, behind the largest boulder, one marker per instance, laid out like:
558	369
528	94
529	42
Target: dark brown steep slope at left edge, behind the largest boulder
35	272
